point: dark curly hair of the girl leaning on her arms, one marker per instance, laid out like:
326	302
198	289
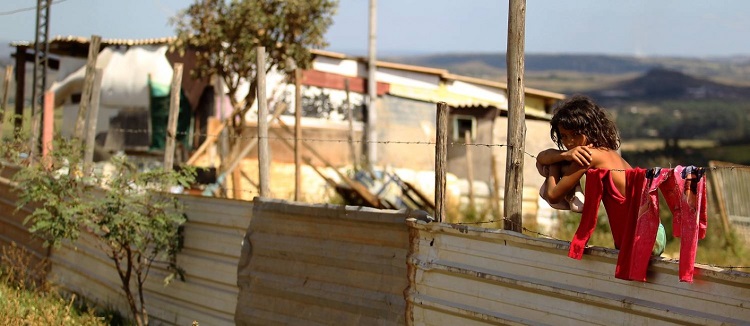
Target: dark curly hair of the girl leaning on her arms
580	114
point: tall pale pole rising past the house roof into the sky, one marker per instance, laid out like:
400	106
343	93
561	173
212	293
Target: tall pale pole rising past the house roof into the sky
372	89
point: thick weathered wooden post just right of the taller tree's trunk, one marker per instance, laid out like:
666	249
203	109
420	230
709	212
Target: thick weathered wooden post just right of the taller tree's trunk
264	155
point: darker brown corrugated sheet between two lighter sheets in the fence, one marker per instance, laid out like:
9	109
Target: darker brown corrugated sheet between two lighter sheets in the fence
322	264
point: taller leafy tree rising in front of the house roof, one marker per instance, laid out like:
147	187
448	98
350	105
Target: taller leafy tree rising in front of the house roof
226	34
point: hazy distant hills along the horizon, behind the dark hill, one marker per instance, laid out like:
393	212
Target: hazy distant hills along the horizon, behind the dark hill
568	73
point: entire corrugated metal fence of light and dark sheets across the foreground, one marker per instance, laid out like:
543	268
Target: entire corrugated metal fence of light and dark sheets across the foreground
324	264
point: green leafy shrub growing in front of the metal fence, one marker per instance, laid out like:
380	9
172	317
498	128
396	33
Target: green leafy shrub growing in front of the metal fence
128	213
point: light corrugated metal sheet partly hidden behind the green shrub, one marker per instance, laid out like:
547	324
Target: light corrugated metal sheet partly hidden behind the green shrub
213	241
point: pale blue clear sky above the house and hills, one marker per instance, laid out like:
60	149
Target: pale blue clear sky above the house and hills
685	28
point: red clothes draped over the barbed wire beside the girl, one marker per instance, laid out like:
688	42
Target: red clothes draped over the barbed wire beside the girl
634	223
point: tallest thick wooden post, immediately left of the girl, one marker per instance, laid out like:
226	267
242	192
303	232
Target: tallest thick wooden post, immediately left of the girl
516	123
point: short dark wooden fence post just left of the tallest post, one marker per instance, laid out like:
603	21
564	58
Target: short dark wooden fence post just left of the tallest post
441	159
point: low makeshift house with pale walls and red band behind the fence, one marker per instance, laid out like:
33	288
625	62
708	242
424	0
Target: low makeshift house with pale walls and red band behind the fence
334	86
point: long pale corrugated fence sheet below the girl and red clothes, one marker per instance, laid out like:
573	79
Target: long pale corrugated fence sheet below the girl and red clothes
470	276
